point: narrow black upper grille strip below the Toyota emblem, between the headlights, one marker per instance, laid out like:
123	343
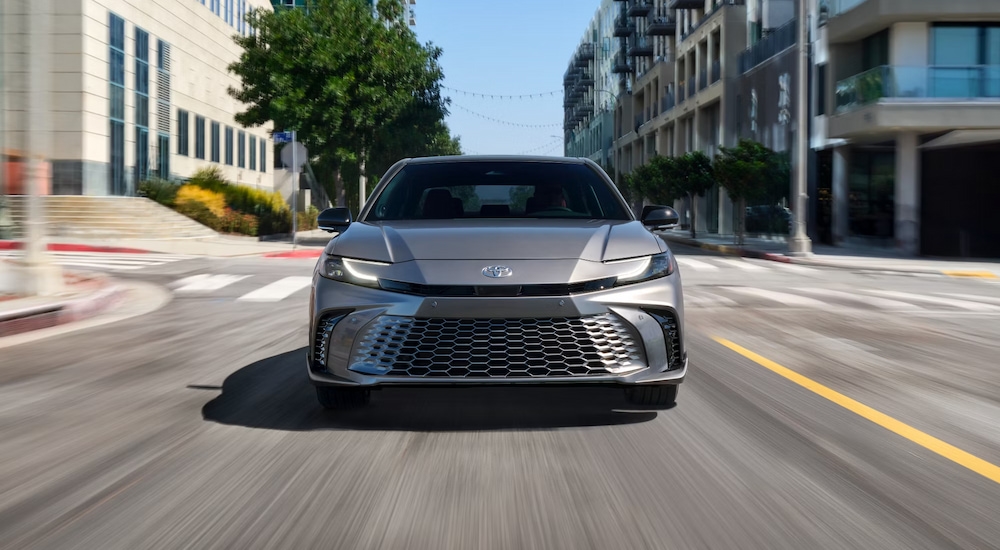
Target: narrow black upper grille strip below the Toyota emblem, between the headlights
459	291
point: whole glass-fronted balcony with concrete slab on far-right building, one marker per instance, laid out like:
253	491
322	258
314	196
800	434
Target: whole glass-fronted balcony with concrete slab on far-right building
927	99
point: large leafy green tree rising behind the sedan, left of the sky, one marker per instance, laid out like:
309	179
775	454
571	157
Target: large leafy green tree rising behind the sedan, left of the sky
337	75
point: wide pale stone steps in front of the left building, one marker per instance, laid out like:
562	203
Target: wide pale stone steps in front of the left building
83	217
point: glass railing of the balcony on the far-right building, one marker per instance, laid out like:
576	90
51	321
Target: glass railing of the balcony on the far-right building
929	82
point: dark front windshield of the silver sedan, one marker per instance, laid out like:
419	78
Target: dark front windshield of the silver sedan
500	189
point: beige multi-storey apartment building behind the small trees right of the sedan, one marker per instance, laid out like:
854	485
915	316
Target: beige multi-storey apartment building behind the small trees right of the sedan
677	66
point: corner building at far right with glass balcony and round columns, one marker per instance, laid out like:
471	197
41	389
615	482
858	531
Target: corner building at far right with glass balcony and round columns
911	91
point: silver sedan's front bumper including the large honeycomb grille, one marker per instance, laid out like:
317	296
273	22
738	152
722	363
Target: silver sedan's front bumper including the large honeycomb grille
366	337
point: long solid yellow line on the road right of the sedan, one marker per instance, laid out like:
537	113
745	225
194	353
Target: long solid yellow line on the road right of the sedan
972	462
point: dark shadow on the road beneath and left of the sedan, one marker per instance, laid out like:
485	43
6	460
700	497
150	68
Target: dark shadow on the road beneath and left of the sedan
275	394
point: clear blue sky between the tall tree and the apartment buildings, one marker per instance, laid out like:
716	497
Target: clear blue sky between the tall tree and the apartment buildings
505	47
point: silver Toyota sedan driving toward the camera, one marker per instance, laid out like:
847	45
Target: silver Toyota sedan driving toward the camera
496	270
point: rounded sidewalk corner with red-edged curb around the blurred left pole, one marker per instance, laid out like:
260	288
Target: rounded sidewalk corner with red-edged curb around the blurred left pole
84	295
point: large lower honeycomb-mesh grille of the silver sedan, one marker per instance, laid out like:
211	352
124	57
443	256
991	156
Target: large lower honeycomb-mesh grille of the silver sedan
497	348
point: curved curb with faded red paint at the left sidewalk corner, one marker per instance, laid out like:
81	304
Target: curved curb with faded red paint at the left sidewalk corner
61	312
